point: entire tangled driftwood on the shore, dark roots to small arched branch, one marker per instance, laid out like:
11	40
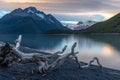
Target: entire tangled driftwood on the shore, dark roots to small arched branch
10	54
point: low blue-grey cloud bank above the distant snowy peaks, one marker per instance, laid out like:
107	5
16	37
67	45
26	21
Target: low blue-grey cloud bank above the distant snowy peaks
80	17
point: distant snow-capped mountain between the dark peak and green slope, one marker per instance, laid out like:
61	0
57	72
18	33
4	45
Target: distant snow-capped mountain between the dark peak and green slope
84	25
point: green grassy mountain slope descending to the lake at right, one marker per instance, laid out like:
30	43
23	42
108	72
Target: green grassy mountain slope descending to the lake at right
111	25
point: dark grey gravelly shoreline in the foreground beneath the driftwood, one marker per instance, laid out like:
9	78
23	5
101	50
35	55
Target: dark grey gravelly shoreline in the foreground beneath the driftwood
67	71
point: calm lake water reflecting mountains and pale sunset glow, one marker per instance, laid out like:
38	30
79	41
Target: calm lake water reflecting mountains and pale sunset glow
105	47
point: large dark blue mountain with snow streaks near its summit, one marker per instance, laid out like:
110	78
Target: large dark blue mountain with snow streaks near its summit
29	20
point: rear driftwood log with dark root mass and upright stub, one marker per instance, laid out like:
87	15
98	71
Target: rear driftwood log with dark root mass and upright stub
9	54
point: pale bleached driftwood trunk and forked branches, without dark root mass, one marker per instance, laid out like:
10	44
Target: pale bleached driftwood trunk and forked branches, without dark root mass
42	60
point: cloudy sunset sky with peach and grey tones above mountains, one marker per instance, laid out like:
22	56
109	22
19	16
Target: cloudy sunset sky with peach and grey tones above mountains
67	10
